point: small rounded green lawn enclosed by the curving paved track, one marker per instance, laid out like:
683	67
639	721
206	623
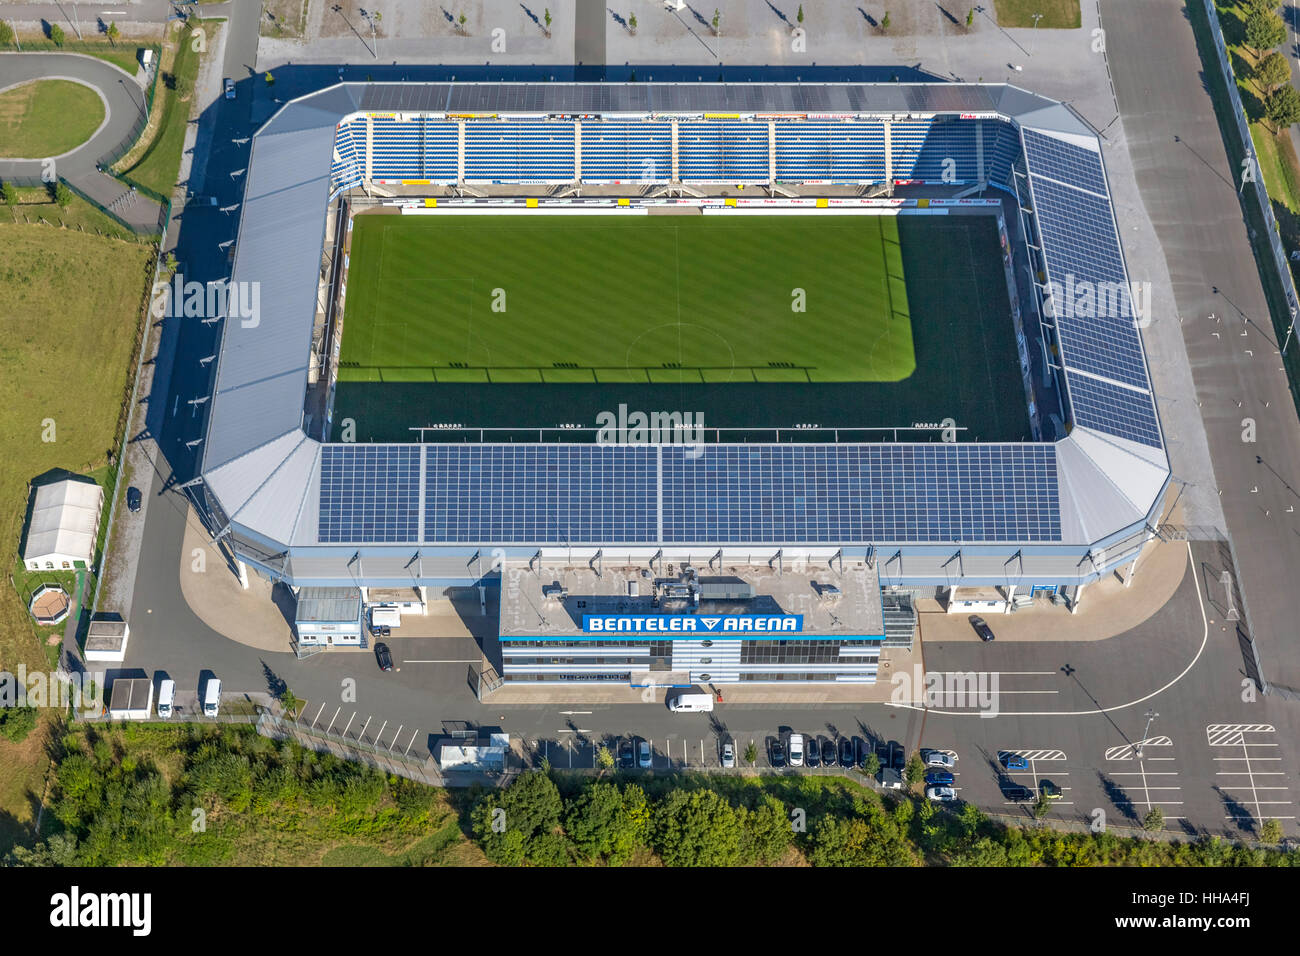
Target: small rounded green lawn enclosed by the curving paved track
47	118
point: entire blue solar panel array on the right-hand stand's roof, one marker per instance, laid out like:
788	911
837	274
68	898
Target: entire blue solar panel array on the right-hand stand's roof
1095	318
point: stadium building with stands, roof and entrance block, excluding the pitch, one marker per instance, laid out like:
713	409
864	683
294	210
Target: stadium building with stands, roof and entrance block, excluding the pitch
1078	503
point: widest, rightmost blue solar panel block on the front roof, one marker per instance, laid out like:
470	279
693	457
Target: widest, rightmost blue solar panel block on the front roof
861	494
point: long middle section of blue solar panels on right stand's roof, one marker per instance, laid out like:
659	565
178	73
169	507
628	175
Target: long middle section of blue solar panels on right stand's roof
1082	253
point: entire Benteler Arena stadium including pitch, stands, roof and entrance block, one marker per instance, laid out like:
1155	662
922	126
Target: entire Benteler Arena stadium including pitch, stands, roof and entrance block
668	352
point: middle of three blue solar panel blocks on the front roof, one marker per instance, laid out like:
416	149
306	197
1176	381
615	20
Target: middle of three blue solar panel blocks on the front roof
541	494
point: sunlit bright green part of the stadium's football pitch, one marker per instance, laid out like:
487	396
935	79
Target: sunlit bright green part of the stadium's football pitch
541	299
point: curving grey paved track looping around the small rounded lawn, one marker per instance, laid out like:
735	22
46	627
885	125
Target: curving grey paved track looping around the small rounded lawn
124	105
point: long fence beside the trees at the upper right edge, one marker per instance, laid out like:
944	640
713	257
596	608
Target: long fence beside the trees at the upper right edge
1277	261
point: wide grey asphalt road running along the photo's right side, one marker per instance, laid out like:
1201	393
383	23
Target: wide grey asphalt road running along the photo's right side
1190	193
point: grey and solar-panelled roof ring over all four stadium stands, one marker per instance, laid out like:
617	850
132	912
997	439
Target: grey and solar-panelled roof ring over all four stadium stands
267	474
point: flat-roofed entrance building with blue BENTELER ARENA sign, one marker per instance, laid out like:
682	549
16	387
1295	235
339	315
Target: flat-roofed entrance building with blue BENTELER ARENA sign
684	626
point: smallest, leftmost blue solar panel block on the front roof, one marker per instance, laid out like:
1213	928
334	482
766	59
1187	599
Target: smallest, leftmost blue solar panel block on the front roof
370	494
